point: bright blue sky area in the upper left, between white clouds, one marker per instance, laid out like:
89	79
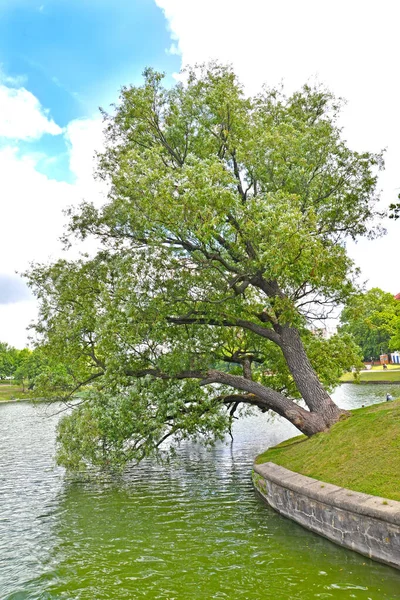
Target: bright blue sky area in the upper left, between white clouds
74	56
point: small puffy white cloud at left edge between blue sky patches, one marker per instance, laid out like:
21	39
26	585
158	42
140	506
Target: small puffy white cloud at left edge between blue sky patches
22	117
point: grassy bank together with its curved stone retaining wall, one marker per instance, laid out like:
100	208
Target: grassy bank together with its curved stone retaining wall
333	483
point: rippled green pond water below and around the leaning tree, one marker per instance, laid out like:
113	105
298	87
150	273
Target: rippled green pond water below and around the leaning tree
193	529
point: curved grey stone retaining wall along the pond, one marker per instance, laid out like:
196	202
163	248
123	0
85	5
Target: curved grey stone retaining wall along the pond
367	524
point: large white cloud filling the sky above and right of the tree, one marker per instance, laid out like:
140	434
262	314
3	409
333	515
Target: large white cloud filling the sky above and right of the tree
352	47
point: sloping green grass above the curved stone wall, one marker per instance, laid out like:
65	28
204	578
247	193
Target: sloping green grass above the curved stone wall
361	453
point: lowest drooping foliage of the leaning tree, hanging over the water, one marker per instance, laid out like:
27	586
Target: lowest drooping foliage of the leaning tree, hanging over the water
110	429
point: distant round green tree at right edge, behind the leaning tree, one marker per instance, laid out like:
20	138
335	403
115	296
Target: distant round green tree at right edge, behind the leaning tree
373	319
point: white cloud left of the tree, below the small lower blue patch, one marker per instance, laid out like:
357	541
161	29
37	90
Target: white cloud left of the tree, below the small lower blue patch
31	214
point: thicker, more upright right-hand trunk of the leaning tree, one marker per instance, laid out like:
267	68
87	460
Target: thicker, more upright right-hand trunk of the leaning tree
312	391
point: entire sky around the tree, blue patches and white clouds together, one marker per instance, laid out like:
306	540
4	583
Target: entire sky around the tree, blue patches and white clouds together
60	60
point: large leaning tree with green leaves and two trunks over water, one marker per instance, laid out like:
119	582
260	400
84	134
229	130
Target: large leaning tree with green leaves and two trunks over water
222	240
